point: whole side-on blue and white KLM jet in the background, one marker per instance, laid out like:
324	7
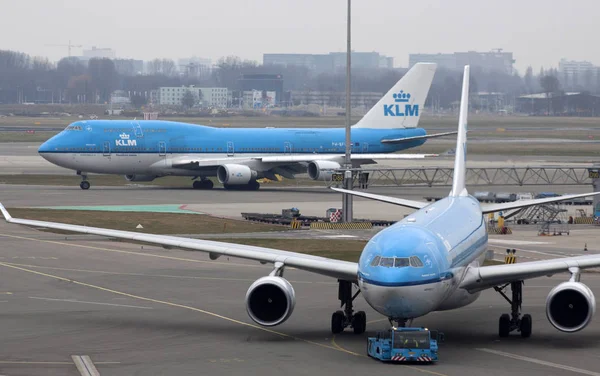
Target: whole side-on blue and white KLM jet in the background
146	150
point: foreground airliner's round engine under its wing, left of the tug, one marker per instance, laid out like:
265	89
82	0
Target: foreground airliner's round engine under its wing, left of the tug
270	301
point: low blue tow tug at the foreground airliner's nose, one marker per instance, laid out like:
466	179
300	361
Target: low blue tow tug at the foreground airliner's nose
405	345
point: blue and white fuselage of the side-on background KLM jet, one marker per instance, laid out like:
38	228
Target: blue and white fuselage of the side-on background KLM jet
146	147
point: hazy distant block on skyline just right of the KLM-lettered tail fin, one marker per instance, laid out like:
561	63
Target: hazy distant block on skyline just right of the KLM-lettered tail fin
493	61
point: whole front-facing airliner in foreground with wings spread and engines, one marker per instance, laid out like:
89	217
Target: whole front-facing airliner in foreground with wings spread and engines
429	261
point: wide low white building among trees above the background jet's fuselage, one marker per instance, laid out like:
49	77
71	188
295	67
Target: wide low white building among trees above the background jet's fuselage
207	96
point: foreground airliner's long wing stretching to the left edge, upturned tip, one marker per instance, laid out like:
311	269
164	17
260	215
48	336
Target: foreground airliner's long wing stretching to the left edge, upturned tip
329	267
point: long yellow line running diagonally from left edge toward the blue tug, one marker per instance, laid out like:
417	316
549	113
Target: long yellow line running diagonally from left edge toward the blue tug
208	313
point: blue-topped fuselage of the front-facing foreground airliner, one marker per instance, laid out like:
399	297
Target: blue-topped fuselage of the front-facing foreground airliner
415	266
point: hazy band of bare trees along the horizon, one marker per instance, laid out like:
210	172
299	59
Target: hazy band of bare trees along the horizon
33	79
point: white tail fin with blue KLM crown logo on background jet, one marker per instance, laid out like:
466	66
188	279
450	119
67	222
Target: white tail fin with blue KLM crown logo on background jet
401	107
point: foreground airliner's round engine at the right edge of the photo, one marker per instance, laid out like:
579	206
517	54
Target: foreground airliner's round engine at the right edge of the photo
570	306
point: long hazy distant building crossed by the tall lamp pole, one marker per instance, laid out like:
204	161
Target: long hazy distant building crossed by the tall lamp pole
332	62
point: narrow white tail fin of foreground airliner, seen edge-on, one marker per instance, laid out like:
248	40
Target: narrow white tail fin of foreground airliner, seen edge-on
460	160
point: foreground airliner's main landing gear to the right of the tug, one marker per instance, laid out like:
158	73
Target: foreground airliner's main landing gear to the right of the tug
514	321
